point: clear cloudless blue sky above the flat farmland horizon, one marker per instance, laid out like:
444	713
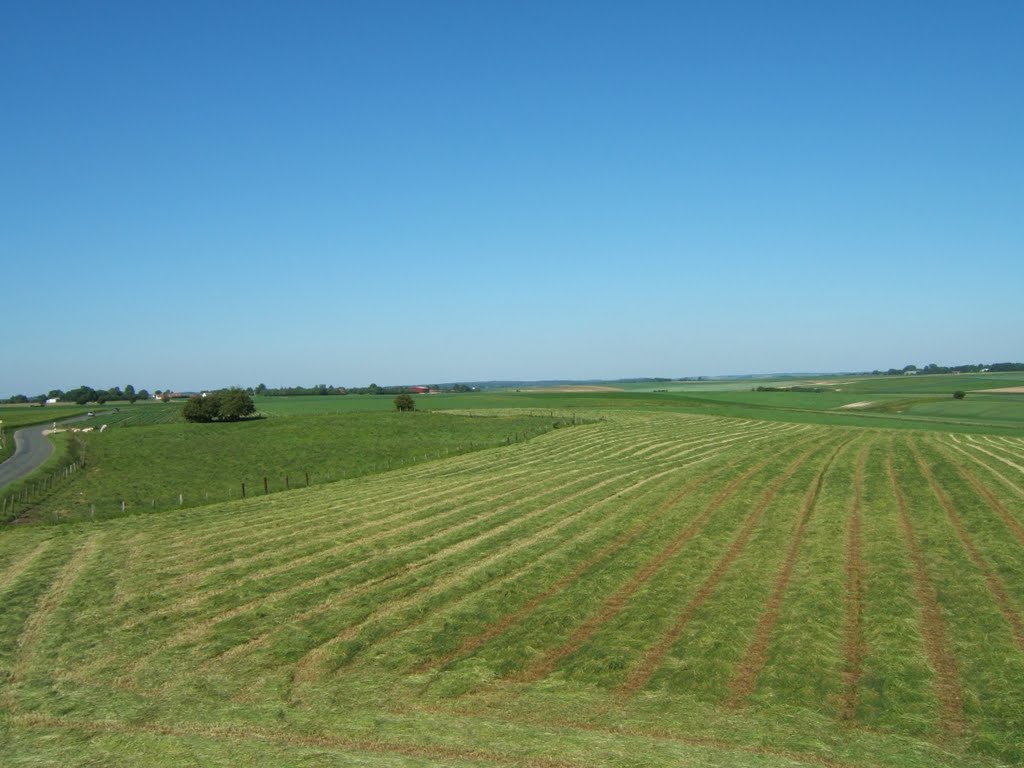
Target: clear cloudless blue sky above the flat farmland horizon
199	195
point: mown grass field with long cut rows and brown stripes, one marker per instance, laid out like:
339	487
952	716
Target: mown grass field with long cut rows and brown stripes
656	589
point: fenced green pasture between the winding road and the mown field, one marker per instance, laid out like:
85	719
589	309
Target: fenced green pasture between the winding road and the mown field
168	463
